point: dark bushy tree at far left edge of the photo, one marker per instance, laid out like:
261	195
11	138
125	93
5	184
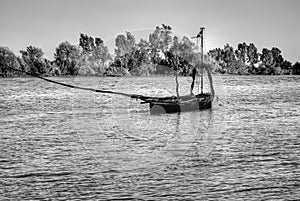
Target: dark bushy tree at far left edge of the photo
7	60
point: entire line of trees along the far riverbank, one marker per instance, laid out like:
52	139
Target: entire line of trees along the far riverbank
91	57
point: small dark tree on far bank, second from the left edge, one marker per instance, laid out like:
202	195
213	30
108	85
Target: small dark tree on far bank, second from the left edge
33	58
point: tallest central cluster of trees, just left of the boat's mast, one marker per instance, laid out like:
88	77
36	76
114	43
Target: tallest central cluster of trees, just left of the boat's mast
157	51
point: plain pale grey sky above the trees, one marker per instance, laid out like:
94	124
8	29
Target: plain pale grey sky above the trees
47	23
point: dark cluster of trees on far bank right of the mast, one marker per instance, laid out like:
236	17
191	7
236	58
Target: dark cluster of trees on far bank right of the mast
247	60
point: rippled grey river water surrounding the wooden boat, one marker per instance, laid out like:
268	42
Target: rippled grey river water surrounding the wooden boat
58	143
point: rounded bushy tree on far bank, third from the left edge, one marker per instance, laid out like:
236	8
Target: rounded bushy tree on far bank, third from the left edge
66	58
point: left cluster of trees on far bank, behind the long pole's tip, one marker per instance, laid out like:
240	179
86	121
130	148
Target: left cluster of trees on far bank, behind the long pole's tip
87	58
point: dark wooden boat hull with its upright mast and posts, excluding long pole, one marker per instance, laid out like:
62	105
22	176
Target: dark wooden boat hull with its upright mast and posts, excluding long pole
173	104
